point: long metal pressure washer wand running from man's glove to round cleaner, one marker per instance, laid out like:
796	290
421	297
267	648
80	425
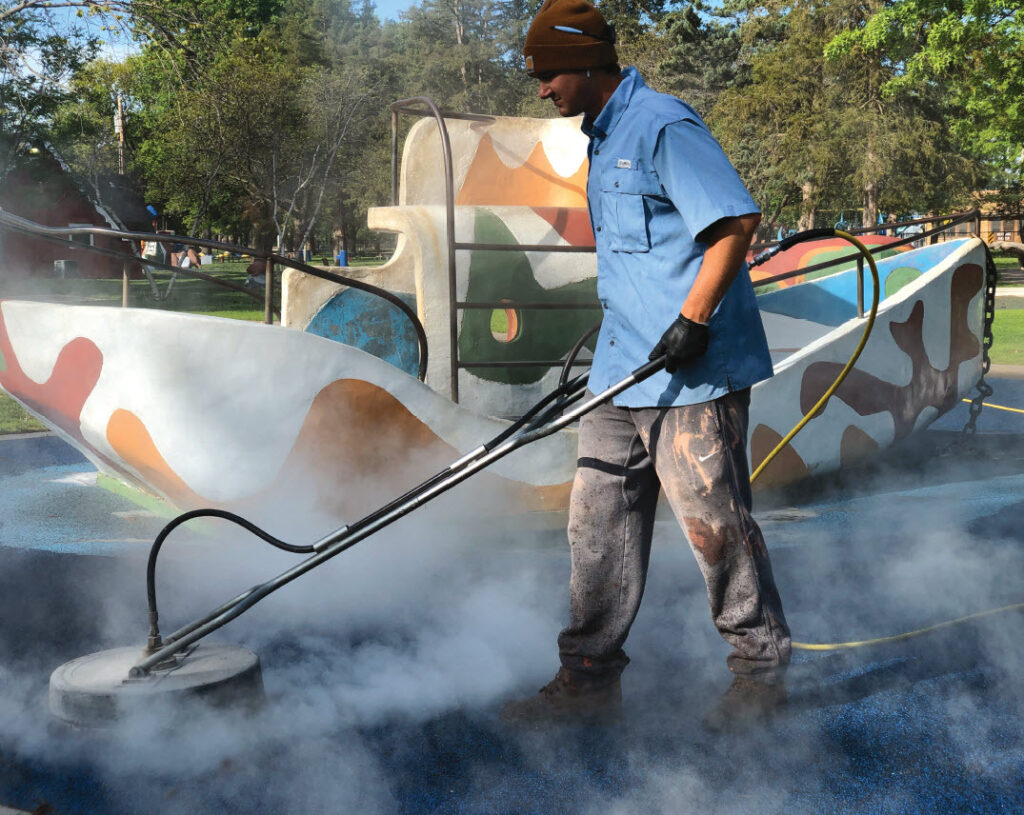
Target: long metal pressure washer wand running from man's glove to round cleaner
350	536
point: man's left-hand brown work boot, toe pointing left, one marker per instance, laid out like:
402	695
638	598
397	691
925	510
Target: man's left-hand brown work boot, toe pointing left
564	701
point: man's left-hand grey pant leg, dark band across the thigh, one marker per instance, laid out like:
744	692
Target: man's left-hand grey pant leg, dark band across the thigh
612	518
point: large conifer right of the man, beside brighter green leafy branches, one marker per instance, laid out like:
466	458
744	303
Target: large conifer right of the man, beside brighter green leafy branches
805	130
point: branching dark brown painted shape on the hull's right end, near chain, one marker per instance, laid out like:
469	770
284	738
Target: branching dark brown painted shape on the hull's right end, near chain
928	387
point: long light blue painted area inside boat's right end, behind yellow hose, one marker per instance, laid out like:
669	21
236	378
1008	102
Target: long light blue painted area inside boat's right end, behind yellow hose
833	301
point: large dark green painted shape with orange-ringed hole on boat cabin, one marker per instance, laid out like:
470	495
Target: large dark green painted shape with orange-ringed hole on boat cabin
543	334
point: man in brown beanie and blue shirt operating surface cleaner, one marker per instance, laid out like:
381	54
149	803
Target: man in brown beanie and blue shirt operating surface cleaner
672	224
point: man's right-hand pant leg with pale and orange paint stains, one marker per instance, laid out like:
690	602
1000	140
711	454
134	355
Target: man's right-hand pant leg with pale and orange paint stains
700	453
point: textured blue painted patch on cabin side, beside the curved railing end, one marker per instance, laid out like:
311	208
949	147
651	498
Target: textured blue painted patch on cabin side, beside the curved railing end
371	324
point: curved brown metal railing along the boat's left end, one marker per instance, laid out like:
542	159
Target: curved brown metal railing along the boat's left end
62	235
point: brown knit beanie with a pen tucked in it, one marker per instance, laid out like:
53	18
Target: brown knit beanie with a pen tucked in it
569	35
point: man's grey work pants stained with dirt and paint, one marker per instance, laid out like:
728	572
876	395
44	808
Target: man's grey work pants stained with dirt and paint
698	455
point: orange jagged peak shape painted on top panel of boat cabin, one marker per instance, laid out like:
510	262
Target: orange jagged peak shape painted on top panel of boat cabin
535	184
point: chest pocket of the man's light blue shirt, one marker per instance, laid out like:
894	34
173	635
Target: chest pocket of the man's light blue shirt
631	195
